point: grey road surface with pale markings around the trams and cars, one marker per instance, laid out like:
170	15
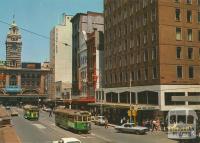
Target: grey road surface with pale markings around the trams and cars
45	131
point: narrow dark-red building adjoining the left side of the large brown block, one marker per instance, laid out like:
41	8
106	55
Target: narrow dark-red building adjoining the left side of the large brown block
94	62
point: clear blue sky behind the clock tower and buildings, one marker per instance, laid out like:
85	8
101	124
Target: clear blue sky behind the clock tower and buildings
39	16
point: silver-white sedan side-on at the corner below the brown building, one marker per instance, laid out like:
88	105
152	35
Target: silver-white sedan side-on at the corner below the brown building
130	128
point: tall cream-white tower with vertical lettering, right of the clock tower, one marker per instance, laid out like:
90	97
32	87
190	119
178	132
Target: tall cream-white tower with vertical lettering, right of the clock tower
61	58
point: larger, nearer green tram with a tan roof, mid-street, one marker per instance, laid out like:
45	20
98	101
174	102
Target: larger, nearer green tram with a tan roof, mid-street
76	120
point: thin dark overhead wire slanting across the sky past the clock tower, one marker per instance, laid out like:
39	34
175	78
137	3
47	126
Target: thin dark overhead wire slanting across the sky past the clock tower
34	33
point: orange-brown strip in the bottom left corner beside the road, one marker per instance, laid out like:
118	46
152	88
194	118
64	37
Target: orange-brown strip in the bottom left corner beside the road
7	132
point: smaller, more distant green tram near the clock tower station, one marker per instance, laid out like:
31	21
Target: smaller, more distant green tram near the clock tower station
31	112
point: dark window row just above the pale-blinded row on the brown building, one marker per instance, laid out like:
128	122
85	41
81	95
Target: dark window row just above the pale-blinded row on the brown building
189	18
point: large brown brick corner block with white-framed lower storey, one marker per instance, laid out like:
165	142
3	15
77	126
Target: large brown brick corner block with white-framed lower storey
152	52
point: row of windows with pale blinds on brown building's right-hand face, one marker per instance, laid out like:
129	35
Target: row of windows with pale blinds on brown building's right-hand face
189	34
